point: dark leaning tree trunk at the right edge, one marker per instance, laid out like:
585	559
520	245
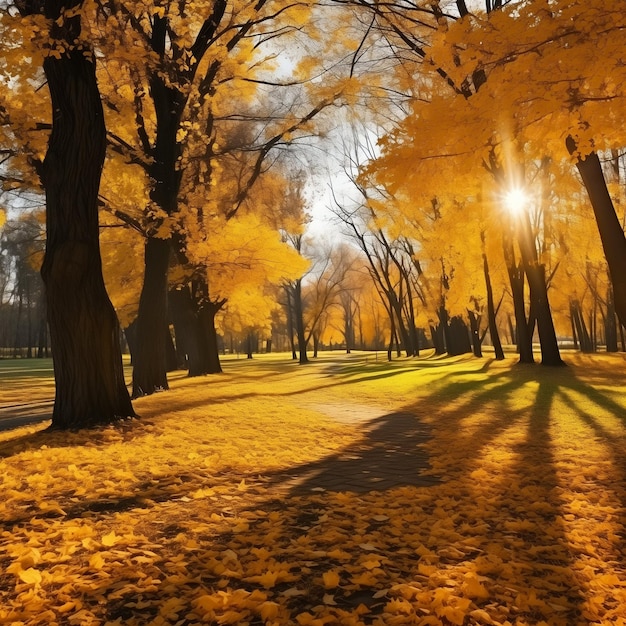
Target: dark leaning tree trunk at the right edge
611	233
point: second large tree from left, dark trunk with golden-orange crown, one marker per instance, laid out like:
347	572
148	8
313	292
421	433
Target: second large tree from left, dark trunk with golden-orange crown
193	72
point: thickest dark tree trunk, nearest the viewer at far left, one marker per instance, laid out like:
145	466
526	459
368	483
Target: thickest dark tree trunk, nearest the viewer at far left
84	331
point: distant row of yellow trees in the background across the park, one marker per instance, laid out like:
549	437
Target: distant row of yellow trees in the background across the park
370	293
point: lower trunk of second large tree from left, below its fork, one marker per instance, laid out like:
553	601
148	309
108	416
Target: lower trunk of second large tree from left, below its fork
149	360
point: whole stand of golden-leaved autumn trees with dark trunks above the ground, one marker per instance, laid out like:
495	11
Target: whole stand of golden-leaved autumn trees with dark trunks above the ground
173	118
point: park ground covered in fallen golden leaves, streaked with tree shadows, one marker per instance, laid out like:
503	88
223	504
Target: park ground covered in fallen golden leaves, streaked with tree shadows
187	516
